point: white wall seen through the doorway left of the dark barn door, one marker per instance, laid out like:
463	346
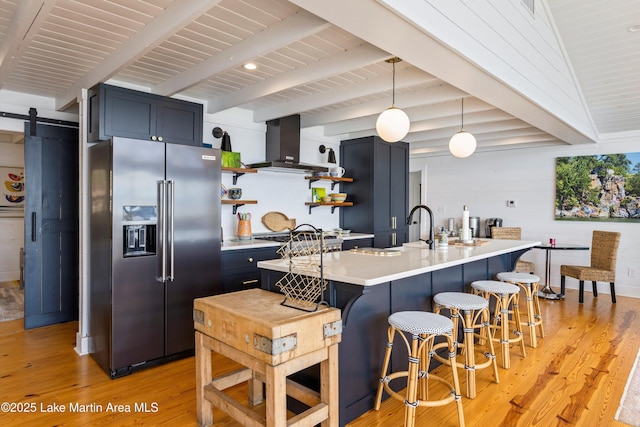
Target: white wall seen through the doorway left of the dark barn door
11	229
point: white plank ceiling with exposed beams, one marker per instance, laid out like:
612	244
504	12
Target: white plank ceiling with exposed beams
311	61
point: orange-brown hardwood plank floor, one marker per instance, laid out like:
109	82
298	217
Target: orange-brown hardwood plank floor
576	376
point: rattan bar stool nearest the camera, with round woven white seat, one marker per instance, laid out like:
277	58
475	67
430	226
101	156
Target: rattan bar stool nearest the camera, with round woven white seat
424	327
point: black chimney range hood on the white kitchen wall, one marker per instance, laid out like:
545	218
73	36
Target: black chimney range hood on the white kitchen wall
283	147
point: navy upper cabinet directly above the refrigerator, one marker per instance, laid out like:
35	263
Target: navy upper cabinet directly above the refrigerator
116	111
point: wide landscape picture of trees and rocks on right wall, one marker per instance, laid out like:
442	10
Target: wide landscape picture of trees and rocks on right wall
598	188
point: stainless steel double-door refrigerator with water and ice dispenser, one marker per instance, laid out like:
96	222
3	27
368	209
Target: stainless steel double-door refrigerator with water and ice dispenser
155	246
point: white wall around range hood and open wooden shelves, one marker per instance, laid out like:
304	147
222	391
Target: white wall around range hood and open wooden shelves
275	191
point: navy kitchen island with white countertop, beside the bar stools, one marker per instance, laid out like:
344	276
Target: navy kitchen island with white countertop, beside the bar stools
368	288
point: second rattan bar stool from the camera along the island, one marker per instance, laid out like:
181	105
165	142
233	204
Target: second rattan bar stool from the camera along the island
475	310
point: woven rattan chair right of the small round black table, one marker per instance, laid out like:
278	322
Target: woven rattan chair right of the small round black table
604	251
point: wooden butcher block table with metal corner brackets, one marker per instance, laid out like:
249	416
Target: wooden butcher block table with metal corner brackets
272	342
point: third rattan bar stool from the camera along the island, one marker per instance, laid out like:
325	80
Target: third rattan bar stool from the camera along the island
506	295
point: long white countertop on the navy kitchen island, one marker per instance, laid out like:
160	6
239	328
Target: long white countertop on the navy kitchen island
368	270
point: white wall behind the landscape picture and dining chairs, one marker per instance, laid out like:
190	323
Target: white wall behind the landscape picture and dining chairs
485	181
